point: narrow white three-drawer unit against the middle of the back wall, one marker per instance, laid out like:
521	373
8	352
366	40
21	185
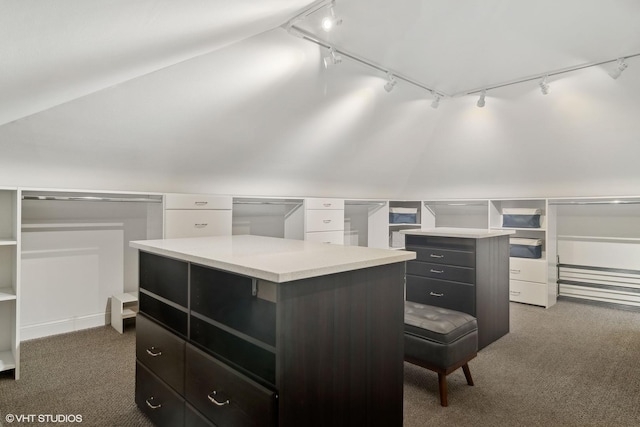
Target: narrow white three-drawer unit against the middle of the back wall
324	220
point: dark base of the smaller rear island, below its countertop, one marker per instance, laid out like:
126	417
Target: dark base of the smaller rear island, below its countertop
463	274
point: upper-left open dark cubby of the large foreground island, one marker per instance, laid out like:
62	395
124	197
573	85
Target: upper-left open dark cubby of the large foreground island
165	277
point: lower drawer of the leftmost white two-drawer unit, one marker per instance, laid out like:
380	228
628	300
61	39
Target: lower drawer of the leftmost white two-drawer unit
197	223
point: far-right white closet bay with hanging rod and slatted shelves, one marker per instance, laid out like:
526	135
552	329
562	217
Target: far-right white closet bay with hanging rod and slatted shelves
599	250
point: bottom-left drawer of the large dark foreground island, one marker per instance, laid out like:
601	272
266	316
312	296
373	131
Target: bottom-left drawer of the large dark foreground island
161	404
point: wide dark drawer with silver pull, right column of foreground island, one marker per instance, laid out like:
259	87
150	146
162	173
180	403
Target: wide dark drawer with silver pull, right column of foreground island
225	396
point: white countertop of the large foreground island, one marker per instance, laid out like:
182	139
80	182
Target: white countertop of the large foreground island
270	258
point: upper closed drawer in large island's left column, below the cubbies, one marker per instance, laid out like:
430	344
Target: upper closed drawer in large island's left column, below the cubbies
160	351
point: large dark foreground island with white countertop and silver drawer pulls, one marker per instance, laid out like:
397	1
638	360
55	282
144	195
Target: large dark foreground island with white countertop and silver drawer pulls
253	330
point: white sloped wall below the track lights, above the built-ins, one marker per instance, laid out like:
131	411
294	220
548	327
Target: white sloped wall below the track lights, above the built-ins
263	117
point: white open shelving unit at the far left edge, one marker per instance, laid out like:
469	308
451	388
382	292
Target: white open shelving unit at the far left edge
10	280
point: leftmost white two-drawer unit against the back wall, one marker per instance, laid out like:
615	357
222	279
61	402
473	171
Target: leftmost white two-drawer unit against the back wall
194	215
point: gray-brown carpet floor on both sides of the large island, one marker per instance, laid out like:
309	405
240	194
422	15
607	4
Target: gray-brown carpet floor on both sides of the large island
570	365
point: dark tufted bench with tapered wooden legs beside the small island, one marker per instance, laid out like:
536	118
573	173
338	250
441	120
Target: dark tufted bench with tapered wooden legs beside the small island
441	340
